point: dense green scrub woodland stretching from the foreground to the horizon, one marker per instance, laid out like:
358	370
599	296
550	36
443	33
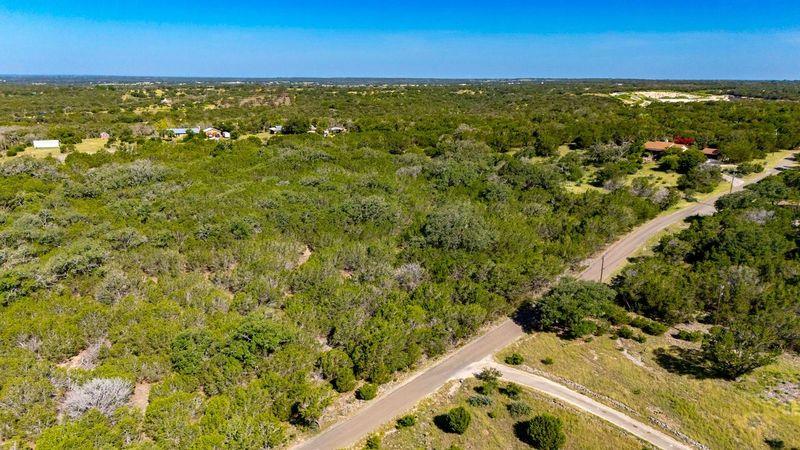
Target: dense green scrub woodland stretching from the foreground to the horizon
243	282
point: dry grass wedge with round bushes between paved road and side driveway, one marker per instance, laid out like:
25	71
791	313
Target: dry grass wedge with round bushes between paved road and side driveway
583	431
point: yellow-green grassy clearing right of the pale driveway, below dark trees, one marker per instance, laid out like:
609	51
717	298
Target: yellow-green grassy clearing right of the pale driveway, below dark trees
716	413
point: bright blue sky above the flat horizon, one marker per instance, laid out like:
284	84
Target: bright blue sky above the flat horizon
616	38
